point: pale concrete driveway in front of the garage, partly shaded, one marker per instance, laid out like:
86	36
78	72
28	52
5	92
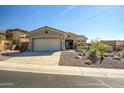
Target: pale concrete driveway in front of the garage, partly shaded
43	58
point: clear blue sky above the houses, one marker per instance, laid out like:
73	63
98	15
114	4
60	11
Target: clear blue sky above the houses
105	22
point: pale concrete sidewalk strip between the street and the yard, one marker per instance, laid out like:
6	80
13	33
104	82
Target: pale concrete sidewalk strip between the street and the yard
63	70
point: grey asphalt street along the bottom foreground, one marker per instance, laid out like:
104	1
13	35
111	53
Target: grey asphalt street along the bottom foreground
12	79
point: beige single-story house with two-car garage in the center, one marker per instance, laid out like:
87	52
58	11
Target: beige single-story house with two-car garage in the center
51	39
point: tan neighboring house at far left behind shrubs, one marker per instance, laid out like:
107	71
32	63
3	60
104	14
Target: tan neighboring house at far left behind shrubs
16	36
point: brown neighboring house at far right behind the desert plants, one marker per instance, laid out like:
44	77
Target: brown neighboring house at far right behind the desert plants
116	44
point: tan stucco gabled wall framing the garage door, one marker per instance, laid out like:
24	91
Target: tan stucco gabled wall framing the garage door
40	33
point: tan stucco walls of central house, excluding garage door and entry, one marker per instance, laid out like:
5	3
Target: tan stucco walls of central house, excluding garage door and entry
52	33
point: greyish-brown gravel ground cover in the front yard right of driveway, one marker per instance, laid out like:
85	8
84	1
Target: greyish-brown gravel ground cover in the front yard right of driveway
69	59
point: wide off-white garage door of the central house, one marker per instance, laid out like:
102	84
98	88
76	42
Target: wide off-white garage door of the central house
46	44
